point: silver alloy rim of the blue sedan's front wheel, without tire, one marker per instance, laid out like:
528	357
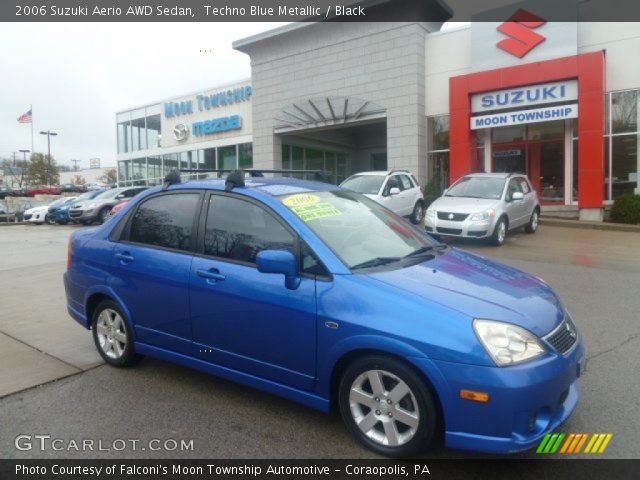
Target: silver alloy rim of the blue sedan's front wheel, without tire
384	408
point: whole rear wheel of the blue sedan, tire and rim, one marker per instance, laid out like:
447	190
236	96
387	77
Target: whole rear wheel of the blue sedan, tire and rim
112	335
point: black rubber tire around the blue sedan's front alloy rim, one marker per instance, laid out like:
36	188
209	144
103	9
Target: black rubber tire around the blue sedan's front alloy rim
428	422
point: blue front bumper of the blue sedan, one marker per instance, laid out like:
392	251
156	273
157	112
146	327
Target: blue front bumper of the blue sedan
525	401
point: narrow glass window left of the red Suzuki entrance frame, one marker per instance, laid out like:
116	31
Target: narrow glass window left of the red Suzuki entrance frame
438	152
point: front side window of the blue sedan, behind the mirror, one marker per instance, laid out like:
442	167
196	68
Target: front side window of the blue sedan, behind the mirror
238	230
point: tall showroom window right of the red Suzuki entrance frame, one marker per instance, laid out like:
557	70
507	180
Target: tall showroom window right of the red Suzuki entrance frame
623	143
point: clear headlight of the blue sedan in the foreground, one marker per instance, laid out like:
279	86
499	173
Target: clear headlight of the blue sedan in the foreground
506	343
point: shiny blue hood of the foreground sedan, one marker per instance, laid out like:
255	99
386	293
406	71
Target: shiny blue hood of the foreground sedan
480	288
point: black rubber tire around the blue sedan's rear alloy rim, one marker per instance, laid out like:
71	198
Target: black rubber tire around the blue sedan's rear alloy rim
125	354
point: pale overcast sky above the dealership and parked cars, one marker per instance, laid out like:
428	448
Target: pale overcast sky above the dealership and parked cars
78	75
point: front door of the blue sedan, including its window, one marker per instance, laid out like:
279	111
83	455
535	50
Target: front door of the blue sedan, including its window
241	318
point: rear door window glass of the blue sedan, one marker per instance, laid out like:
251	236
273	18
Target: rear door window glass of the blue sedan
165	221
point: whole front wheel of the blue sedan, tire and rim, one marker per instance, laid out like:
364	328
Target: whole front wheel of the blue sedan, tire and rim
387	406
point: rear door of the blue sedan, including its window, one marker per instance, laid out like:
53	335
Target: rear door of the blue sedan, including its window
152	265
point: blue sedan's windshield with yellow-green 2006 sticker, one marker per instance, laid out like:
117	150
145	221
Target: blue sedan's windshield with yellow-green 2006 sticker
360	231
